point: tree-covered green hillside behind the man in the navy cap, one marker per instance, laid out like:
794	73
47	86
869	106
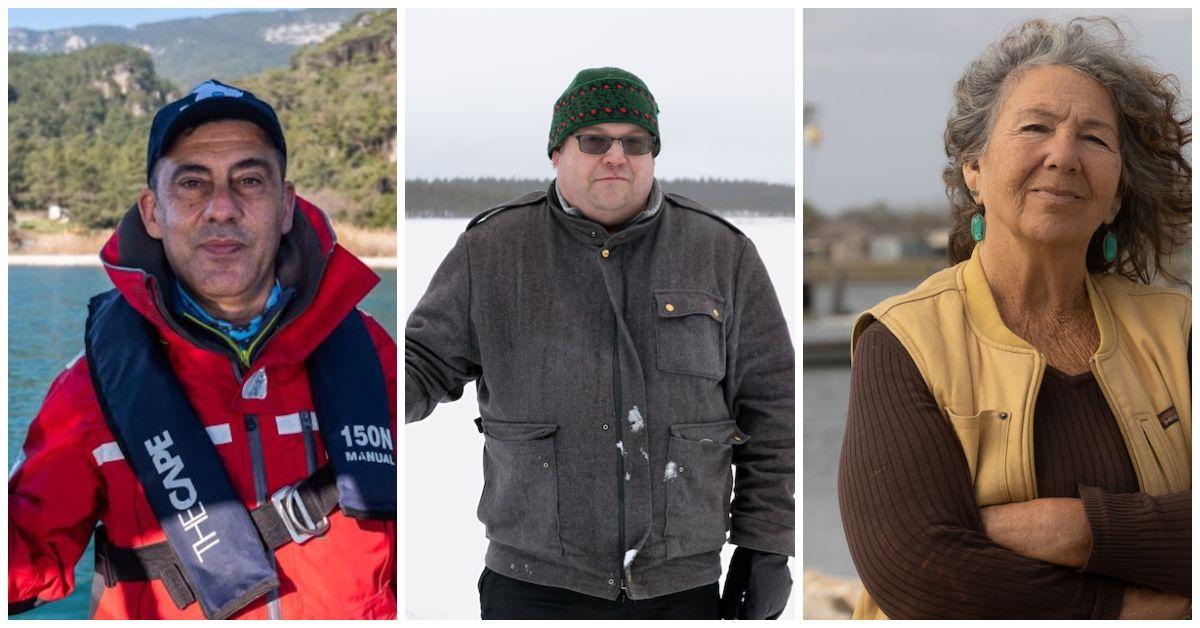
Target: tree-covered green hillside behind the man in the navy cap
79	125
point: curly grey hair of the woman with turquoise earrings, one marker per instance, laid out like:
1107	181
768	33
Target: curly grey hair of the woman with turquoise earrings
1156	178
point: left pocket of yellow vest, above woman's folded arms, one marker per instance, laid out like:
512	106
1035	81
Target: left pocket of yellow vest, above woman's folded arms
985	440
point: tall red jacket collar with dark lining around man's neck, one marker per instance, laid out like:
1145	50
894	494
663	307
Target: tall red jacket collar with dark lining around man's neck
329	283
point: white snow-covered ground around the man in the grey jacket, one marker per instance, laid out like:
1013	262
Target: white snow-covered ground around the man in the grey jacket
445	543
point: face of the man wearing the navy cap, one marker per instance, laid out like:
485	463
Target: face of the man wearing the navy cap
220	208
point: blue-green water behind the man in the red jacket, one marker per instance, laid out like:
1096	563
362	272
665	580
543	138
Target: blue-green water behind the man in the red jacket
47	309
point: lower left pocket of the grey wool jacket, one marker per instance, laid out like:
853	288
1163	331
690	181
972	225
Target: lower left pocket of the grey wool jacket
520	503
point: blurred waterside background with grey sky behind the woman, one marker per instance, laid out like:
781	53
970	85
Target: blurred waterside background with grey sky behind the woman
878	89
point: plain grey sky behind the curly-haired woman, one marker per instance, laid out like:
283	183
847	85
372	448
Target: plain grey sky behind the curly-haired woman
881	82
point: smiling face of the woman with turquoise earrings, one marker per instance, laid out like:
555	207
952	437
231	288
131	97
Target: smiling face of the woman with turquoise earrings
1053	164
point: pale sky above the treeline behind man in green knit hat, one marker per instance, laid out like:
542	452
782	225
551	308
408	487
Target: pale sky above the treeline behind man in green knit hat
482	87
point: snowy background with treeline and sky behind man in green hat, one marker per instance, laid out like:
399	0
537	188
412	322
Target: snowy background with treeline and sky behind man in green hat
481	88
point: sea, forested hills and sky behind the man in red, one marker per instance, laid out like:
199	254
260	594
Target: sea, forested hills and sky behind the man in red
83	88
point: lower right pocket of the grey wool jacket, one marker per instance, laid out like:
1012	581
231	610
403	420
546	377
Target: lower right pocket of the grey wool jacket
699	486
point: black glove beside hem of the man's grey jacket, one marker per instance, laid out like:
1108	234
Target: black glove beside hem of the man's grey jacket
758	587
